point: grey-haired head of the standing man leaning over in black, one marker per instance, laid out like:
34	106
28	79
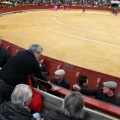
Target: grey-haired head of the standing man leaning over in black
36	50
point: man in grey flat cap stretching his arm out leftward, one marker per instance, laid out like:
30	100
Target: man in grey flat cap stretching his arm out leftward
106	94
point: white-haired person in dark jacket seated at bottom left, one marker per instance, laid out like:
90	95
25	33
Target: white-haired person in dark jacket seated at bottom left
17	108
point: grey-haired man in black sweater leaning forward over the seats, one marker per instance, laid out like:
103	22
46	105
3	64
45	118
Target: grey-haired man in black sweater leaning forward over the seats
17	69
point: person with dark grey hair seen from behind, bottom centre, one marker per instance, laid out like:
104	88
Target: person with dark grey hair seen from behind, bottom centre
72	108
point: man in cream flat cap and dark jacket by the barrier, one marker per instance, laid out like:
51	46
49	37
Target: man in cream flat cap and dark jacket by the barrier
59	79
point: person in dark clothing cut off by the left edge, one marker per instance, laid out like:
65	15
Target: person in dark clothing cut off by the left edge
4	56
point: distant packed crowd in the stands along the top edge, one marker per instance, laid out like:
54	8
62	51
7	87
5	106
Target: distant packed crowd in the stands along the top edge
97	3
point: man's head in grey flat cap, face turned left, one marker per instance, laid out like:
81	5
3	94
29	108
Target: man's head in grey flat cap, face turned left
109	88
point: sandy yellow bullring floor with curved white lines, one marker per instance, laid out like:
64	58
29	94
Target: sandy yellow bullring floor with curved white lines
90	40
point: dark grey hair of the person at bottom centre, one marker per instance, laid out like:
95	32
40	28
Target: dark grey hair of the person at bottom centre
72	105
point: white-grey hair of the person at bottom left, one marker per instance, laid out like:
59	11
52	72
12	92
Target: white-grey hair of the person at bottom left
20	94
